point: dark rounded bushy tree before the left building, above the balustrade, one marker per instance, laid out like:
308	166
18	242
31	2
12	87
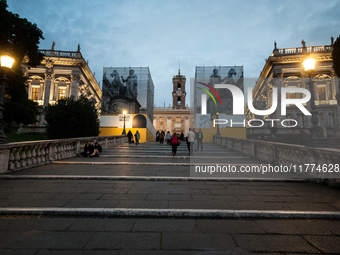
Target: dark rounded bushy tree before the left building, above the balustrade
70	118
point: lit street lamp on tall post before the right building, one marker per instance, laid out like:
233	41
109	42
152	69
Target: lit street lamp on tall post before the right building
316	132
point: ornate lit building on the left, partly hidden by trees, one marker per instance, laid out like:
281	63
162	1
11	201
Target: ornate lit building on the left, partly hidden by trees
61	74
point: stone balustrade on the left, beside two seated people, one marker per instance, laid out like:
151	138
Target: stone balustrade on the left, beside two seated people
17	156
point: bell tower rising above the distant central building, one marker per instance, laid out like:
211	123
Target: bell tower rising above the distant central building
178	93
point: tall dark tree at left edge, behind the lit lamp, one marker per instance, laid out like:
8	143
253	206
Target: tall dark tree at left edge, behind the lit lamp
20	38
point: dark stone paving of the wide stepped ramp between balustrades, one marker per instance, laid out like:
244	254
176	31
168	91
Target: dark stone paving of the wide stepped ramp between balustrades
104	235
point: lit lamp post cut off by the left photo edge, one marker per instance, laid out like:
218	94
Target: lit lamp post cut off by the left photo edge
6	63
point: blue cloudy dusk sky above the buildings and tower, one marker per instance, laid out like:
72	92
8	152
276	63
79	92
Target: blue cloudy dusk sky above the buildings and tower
161	33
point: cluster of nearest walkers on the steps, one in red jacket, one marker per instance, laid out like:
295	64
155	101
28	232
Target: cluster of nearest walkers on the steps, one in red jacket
191	139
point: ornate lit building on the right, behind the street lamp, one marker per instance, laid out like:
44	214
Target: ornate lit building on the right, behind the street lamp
284	69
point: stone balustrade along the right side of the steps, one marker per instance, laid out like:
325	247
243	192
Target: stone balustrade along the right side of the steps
281	153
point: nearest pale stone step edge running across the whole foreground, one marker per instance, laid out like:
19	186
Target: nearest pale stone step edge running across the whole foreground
170	213
